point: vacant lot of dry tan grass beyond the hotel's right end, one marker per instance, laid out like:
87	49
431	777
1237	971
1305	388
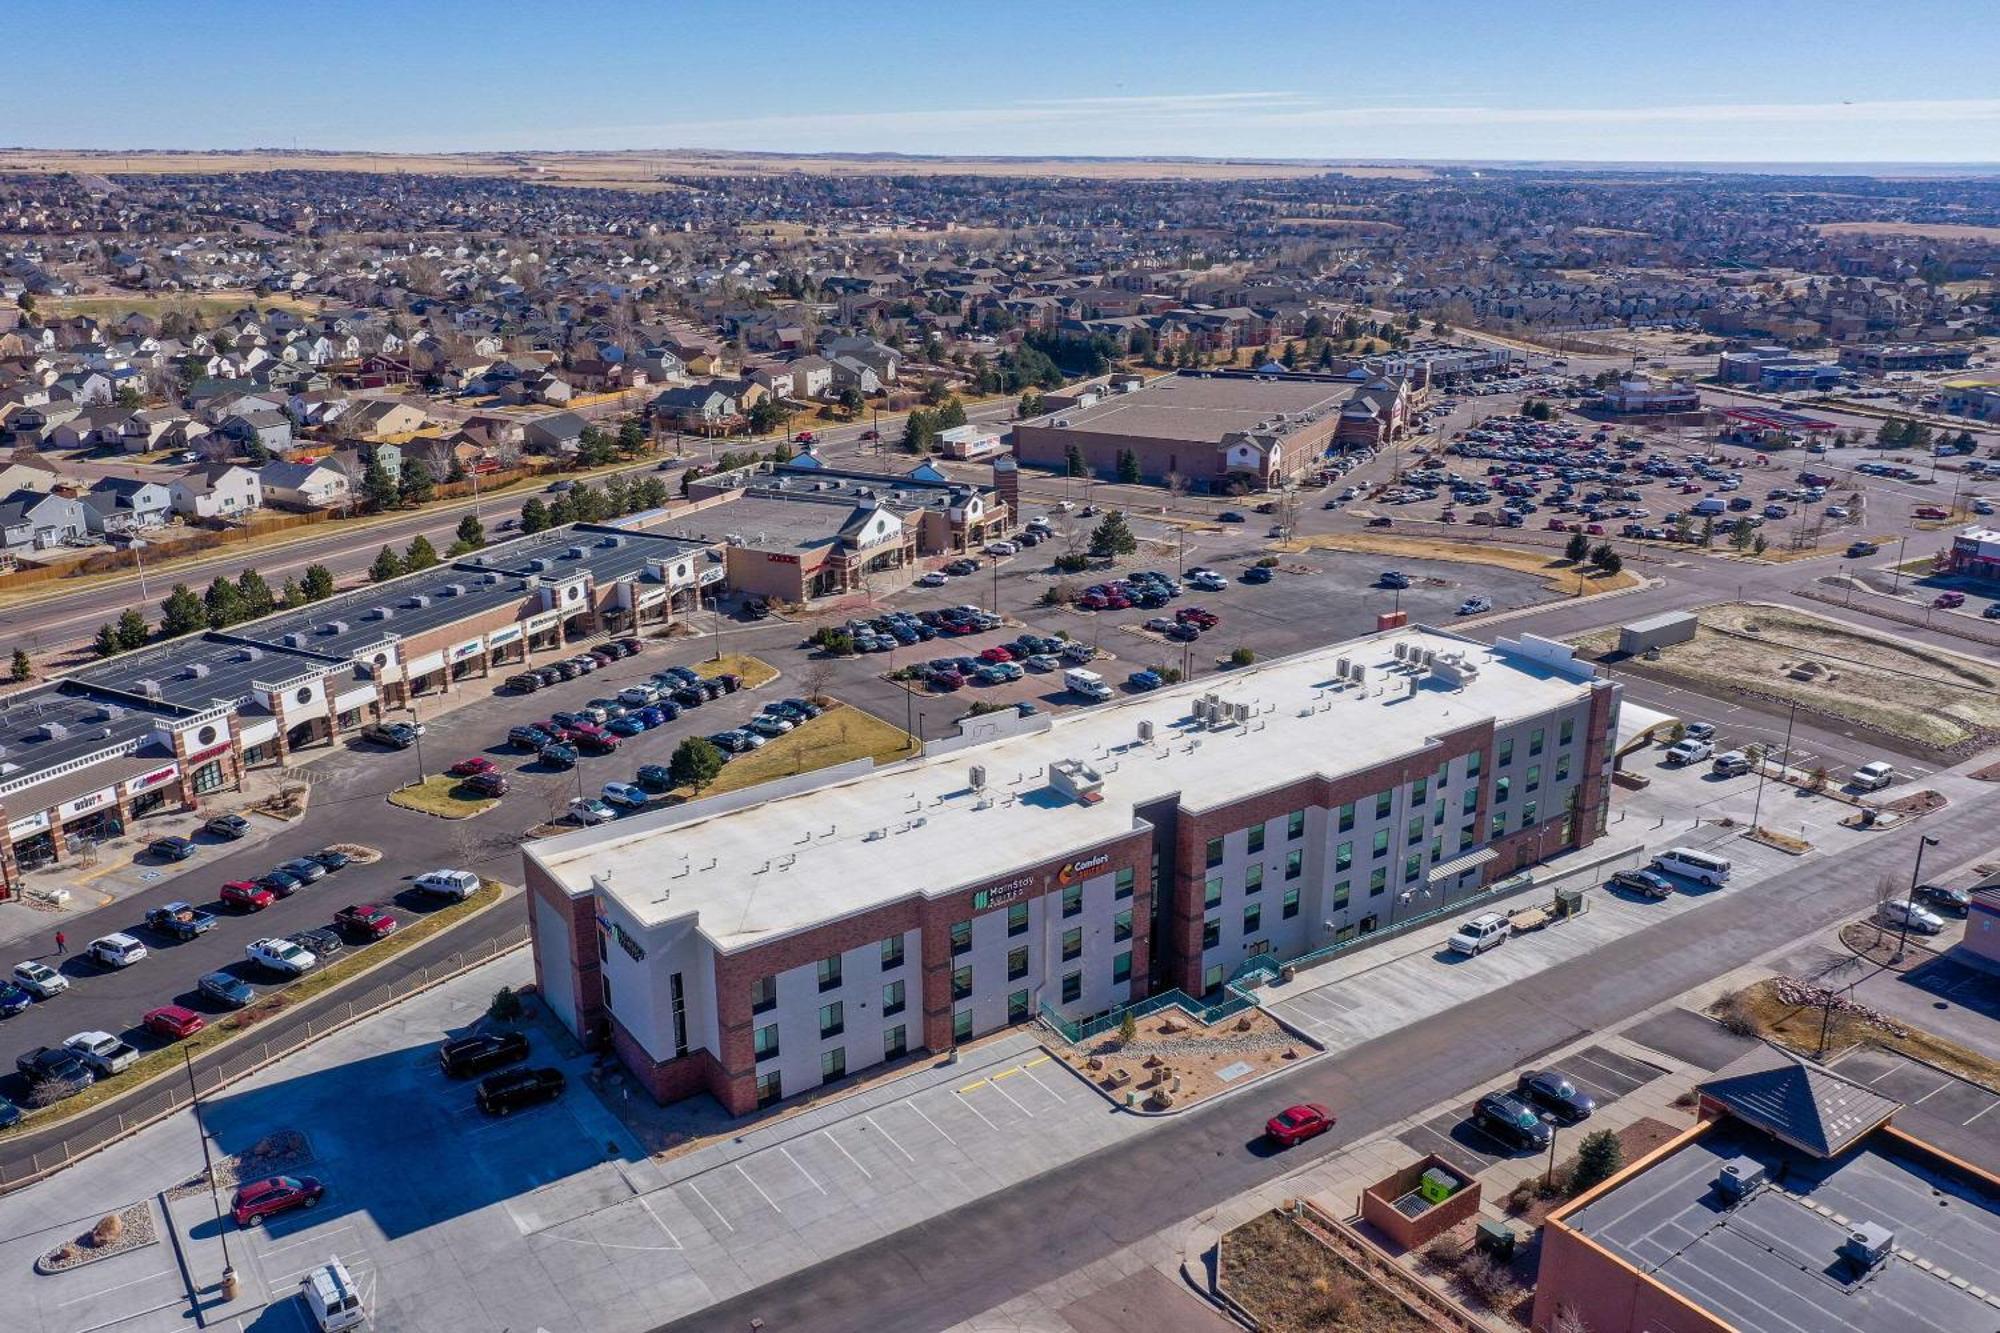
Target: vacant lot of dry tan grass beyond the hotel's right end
1937	700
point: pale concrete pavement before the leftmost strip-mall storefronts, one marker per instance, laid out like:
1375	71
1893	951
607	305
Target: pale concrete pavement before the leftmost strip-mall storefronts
121	868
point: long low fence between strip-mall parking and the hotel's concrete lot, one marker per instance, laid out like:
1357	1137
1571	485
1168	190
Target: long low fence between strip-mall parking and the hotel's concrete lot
245	1060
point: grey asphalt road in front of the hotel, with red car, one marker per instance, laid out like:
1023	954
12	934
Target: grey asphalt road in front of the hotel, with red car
985	1254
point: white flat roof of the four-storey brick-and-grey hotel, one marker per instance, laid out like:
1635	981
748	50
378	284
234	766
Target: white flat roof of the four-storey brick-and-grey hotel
803	860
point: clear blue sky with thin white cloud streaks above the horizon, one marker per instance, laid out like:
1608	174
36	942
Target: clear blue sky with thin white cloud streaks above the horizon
1775	81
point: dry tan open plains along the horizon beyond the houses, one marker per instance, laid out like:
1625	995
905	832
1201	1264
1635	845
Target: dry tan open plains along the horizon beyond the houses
647	169
